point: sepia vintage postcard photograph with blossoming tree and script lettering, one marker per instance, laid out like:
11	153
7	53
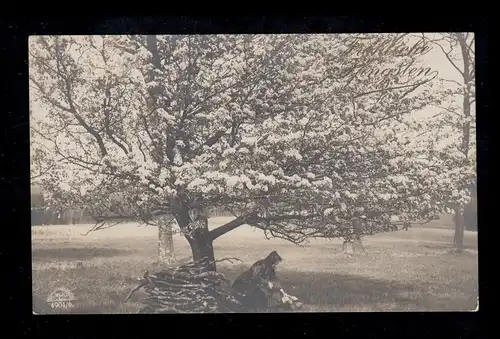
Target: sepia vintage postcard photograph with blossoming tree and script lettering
253	173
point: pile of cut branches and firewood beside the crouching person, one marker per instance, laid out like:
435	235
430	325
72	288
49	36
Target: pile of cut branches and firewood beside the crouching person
190	288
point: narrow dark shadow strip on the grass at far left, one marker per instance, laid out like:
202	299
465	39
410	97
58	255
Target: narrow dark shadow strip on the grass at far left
73	253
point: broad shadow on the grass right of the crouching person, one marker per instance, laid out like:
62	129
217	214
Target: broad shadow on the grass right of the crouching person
337	292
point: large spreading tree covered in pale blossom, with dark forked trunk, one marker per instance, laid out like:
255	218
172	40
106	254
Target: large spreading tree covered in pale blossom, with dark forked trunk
297	135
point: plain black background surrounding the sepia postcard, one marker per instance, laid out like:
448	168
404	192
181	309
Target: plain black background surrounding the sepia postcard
15	190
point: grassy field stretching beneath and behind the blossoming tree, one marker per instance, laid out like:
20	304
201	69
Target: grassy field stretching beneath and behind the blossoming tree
402	271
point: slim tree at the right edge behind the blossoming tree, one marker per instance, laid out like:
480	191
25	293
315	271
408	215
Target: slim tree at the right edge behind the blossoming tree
456	123
